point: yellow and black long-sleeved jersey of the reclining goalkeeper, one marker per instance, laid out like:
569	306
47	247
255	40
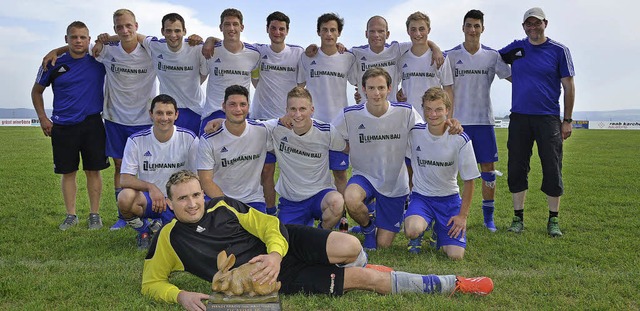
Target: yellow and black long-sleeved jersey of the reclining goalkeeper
226	225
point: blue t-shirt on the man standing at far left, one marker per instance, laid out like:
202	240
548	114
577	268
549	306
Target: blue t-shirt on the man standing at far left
77	88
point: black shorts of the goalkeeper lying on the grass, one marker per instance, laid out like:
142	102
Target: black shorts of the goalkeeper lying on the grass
306	268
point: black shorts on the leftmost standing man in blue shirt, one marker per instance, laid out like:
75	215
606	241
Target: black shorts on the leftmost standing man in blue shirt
70	141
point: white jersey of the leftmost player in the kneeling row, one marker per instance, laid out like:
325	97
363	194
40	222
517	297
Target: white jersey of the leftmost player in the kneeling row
154	161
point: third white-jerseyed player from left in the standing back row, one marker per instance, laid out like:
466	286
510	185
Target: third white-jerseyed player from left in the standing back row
231	64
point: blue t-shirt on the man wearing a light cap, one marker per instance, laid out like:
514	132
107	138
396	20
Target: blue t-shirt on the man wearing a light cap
536	71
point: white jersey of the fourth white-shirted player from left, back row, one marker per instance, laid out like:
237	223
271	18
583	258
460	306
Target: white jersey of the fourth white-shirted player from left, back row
278	75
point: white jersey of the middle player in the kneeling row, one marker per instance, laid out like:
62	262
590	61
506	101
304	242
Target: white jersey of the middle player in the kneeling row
304	159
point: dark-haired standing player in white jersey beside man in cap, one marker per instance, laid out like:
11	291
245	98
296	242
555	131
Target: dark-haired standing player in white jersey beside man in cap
474	67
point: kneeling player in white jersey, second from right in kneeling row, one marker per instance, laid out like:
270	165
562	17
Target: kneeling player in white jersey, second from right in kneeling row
377	132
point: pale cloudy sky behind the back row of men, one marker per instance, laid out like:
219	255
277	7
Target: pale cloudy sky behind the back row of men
31	28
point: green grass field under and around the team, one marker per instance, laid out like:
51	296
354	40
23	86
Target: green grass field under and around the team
594	266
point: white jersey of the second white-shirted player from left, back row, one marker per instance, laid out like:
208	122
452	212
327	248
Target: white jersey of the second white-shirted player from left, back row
179	72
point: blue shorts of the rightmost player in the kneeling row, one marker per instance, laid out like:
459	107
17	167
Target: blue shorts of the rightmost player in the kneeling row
440	209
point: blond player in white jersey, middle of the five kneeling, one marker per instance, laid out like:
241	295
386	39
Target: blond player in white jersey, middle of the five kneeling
305	186
